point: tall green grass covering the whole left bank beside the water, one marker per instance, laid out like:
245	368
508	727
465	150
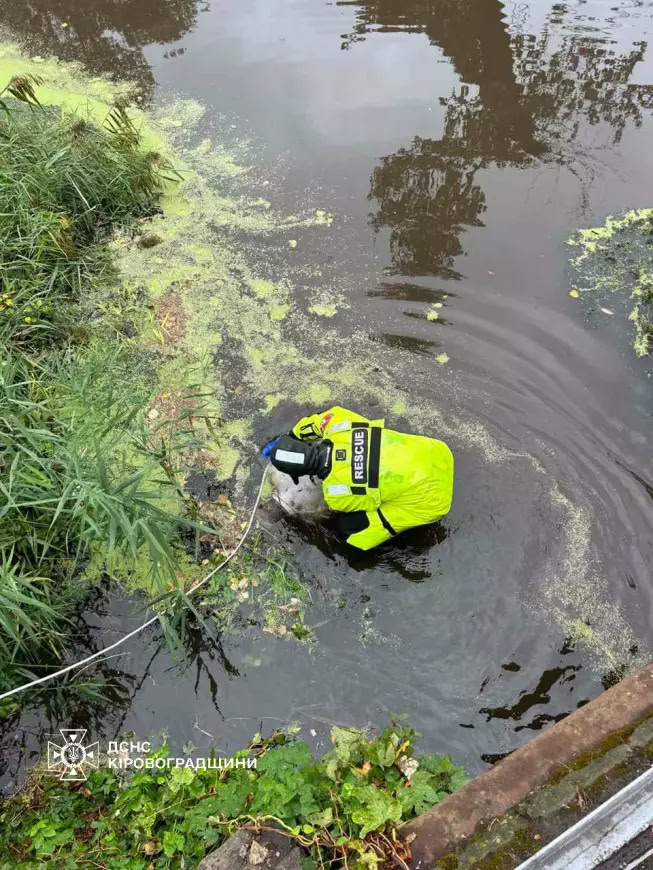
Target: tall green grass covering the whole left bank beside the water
78	467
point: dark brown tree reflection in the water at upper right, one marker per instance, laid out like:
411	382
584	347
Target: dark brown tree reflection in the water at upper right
523	99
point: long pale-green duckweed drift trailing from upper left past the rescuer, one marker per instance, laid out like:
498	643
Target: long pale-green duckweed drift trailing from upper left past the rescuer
225	252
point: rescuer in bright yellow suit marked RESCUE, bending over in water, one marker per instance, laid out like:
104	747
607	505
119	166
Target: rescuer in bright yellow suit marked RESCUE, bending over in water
380	481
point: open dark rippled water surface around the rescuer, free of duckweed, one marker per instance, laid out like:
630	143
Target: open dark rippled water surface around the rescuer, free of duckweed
459	143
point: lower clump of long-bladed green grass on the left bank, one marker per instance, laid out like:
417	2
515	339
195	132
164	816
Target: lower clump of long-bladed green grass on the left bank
71	479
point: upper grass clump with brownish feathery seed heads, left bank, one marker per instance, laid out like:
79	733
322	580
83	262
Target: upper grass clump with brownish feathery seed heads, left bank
65	183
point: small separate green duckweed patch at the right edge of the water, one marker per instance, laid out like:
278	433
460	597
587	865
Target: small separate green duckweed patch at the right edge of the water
613	259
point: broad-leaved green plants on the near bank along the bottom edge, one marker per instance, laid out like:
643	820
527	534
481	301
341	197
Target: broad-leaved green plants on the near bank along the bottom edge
343	810
